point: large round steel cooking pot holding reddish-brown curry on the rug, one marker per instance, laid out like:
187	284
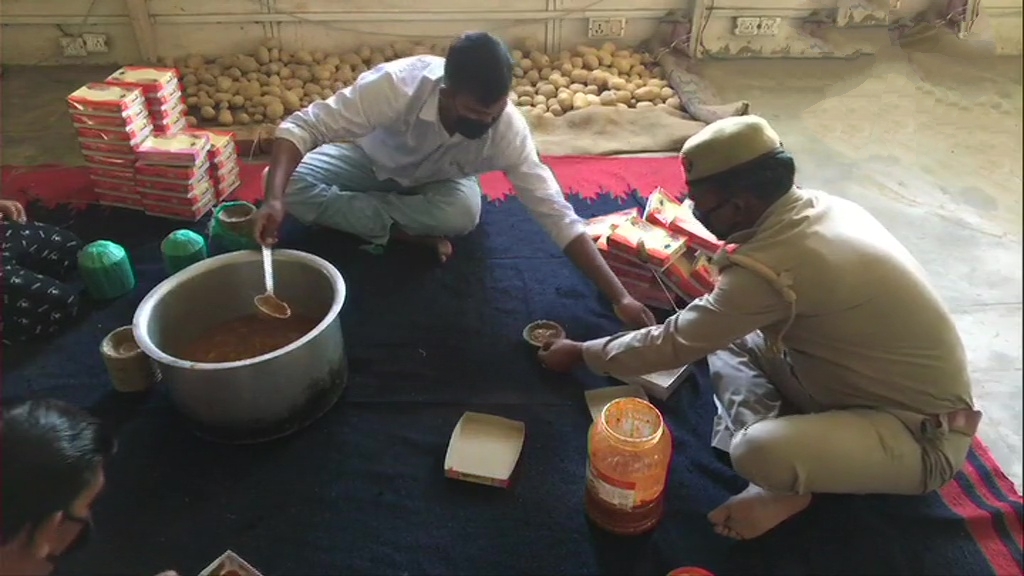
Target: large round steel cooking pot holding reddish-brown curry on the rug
266	397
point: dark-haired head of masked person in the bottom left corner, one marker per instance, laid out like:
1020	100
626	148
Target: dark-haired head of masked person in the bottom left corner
54	458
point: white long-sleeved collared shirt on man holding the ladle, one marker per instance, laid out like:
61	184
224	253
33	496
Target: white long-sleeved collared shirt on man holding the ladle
392	113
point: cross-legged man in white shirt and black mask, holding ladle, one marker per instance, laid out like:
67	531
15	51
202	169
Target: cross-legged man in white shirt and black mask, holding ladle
398	155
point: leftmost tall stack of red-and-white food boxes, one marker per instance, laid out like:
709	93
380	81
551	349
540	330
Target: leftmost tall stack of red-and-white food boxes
111	121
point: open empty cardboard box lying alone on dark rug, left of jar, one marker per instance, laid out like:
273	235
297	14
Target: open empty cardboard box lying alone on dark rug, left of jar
485	449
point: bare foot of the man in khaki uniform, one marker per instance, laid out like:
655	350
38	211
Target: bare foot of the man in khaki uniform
754	512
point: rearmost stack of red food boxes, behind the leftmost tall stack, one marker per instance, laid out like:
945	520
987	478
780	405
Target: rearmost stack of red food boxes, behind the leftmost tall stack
164	99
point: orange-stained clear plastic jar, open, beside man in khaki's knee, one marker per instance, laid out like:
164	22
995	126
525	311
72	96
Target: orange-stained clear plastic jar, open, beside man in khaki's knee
629	455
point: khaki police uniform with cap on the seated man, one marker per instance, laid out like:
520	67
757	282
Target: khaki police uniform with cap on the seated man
836	366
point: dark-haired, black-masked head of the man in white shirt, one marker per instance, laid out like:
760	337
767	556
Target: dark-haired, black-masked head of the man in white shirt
478	80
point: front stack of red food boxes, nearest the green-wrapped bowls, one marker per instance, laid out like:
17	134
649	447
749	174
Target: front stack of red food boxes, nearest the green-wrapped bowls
174	176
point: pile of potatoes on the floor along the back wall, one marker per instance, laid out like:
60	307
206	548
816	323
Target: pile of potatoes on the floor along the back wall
267	87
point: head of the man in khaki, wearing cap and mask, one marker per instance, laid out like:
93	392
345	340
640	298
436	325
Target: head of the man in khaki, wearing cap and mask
736	169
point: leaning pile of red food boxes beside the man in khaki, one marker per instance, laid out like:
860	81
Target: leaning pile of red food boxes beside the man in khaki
659	266
